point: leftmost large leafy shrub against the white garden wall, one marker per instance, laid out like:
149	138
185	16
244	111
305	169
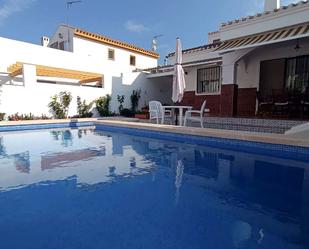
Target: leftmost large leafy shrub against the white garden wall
59	104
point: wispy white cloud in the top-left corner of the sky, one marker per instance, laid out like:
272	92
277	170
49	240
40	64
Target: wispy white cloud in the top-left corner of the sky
11	7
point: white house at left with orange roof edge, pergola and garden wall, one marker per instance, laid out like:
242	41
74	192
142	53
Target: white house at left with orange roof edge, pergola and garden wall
83	63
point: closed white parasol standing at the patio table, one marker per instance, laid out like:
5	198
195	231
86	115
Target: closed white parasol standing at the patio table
179	83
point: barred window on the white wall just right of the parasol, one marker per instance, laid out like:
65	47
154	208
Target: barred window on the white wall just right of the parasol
209	80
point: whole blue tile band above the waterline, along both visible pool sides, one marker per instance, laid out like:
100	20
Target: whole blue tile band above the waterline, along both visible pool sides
279	150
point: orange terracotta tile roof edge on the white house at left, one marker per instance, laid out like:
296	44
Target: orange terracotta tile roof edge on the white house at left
103	39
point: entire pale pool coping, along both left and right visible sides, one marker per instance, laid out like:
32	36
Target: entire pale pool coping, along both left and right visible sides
269	138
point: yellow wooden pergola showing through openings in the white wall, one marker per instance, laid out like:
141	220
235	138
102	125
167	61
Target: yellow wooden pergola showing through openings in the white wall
83	77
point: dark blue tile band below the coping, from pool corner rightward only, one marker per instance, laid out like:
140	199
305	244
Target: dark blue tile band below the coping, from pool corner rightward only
282	150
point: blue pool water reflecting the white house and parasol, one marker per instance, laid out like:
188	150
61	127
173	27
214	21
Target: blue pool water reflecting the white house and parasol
90	189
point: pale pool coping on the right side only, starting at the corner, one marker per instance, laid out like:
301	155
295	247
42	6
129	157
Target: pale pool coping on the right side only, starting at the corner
269	138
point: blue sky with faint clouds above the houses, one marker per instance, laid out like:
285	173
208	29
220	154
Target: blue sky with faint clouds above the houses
133	21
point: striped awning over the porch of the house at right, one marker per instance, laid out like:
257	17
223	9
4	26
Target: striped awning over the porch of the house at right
284	34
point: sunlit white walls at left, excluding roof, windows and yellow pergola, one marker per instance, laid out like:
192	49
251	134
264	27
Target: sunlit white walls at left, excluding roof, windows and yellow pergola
30	96
